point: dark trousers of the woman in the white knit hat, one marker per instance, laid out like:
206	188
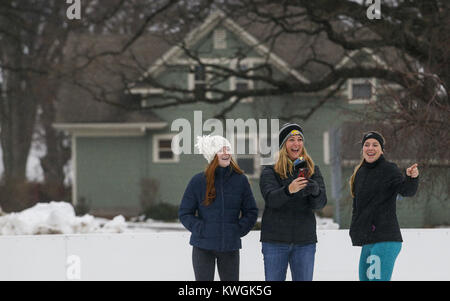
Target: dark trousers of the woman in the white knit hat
204	262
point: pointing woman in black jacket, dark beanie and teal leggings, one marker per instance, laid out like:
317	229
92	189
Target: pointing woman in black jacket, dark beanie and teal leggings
374	186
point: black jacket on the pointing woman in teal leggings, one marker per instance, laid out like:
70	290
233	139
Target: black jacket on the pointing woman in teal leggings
376	186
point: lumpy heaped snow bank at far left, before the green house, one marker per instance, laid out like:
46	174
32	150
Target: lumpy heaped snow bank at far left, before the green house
56	218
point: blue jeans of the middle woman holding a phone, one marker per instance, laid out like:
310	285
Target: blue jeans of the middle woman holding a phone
300	258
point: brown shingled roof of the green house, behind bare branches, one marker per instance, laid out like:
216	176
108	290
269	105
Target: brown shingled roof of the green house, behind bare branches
83	100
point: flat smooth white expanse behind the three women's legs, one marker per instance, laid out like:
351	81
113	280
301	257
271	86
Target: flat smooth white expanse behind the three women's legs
166	256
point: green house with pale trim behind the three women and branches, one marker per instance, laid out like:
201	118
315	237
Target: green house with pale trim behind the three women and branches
122	157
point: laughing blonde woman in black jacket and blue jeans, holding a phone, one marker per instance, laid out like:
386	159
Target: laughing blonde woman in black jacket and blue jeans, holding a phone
292	189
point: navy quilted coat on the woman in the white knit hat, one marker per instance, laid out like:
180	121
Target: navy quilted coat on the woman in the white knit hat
220	225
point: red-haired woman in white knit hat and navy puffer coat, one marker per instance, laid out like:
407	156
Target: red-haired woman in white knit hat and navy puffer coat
218	208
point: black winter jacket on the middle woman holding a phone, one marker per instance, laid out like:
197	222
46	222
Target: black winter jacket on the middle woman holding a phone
289	218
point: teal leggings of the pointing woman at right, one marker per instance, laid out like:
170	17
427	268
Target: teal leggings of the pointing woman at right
377	260
